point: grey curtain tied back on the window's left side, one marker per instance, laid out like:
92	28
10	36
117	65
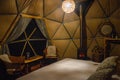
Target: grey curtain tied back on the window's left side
18	30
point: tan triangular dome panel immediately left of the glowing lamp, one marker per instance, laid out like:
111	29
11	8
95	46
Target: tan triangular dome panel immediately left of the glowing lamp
57	15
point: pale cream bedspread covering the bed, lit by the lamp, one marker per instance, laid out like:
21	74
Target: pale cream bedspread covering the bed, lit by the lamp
66	69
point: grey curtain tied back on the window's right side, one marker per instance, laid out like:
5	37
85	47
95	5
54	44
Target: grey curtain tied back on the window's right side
42	27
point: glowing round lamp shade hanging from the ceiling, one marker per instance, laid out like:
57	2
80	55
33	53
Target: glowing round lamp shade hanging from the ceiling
68	6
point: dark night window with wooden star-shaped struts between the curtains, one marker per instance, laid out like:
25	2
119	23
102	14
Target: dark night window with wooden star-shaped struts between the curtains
31	41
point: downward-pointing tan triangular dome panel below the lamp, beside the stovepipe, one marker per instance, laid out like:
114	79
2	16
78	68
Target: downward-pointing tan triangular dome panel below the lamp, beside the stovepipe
71	27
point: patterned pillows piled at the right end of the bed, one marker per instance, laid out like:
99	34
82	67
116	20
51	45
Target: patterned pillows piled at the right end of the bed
105	69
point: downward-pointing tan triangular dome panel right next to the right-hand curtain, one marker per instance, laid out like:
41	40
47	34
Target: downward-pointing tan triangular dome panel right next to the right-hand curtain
52	27
